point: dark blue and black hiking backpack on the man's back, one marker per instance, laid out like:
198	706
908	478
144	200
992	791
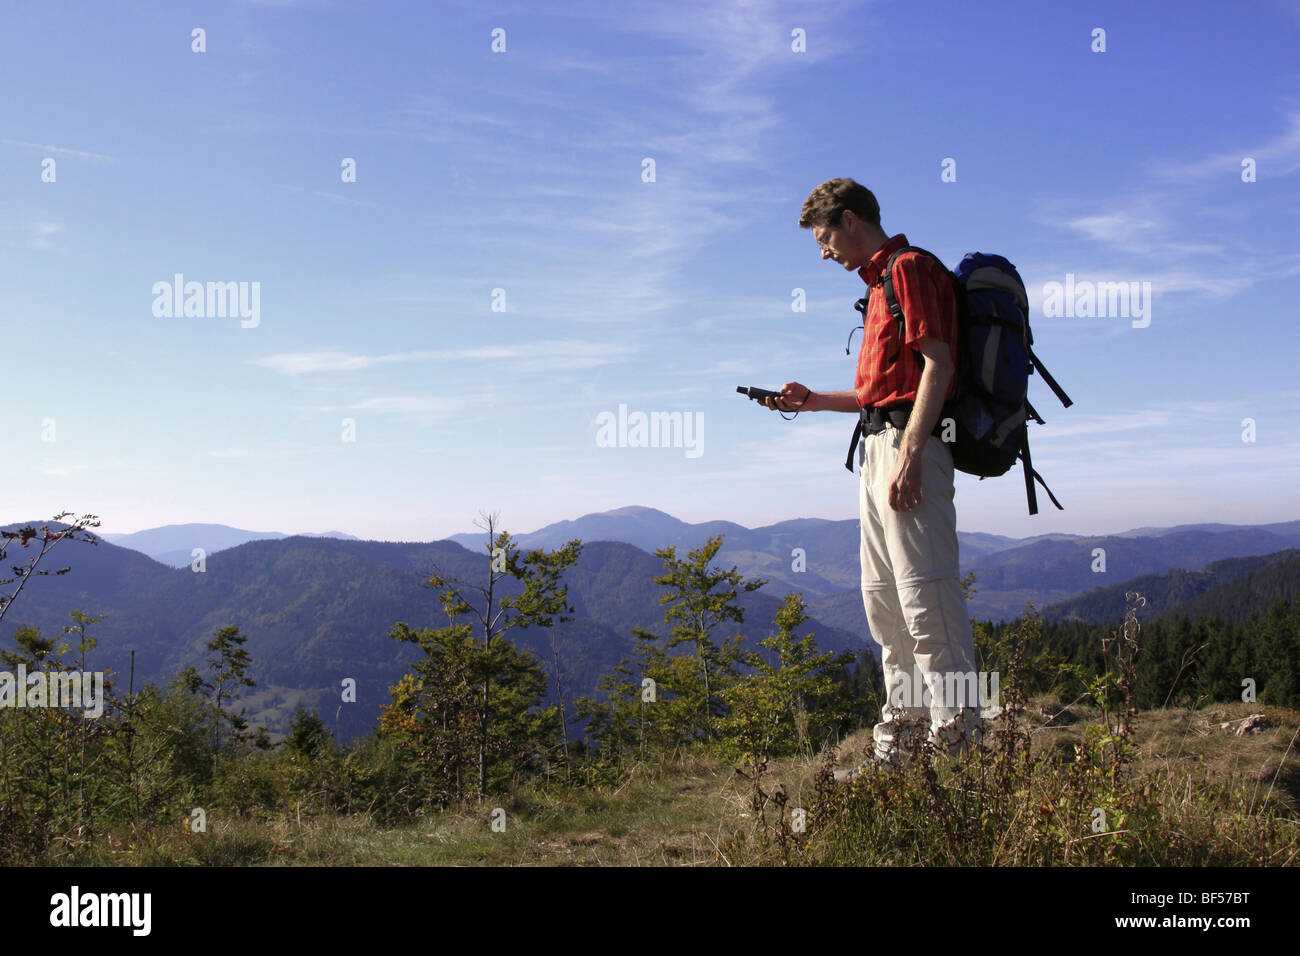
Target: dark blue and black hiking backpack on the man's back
990	408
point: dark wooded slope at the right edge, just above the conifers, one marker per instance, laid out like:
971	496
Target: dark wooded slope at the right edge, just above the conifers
1177	591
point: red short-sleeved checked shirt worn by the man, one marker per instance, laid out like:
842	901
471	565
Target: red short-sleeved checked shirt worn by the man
930	312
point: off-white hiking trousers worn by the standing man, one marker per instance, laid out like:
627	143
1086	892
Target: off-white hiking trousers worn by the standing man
913	598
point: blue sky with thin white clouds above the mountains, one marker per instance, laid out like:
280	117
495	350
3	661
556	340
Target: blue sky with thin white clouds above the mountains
522	171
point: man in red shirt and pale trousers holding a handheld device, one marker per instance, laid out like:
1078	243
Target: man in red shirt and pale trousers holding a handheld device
911	579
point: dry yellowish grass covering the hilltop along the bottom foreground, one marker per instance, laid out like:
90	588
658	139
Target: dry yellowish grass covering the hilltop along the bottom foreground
699	812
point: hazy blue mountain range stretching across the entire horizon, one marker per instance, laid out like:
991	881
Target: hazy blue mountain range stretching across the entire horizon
318	609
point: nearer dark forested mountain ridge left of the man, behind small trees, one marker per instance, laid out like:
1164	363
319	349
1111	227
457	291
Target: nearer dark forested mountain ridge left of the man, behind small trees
318	611
